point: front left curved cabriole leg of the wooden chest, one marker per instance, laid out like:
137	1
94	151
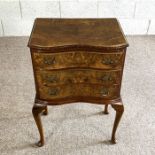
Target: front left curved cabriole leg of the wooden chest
36	110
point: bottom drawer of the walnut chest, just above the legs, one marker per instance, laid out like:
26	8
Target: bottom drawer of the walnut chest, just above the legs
77	90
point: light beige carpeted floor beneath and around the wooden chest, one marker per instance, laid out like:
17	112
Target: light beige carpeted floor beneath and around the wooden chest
77	129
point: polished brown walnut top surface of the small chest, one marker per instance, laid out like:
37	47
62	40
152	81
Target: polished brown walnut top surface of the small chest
104	33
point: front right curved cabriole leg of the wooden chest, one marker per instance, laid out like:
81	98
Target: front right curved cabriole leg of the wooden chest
119	108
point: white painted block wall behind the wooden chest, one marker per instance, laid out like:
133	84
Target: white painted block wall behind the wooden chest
136	16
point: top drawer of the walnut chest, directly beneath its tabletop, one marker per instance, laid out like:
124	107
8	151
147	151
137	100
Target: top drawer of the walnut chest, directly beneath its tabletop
78	59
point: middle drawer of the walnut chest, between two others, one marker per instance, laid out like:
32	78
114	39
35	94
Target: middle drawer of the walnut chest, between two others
73	76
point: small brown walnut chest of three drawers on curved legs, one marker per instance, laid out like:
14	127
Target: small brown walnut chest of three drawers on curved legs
77	60
